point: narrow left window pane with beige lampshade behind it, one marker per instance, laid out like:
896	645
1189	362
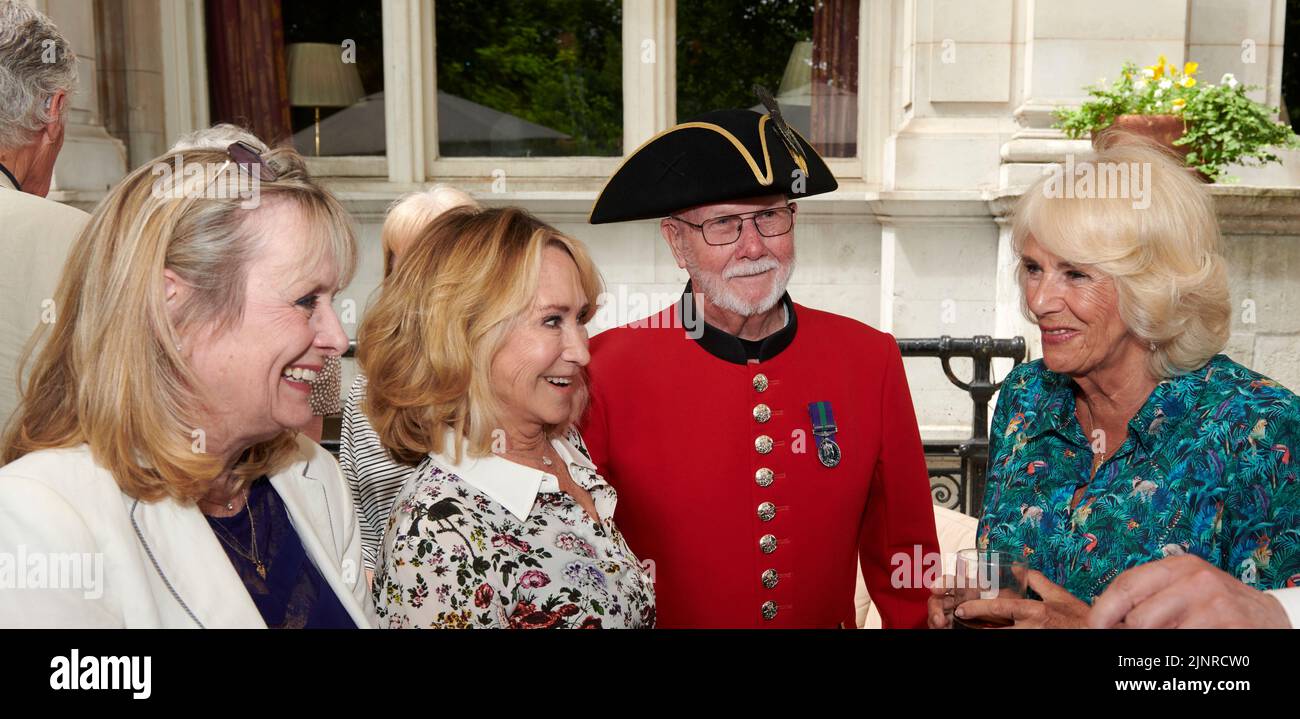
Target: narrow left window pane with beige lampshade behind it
335	59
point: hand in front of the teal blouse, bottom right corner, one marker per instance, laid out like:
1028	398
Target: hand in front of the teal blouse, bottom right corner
1185	592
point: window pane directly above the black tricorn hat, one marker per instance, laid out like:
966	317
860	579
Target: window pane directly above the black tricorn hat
804	51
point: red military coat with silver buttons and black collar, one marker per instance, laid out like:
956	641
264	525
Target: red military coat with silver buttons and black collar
746	539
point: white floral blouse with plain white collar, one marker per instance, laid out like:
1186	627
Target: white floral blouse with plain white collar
493	544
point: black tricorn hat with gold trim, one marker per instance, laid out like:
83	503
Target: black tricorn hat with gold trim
721	157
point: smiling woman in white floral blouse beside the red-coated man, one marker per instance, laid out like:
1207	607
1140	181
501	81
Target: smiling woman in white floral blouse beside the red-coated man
475	354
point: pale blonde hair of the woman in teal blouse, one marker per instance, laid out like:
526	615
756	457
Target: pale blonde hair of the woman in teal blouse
1167	259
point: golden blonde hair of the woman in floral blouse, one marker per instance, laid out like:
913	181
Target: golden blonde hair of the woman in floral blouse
428	344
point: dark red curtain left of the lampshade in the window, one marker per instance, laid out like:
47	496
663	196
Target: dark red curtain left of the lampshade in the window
248	77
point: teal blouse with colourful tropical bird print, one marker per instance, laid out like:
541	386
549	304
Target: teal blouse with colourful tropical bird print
1208	469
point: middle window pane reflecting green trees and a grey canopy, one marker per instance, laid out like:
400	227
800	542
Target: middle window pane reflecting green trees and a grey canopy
530	79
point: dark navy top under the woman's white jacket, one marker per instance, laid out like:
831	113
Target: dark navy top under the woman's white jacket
294	595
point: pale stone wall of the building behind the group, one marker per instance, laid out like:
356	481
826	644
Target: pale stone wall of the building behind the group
956	109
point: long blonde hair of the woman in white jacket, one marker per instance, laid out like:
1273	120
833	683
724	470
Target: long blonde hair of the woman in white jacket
110	373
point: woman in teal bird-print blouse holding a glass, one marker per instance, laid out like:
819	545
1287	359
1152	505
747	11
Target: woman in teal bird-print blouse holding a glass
1133	439
